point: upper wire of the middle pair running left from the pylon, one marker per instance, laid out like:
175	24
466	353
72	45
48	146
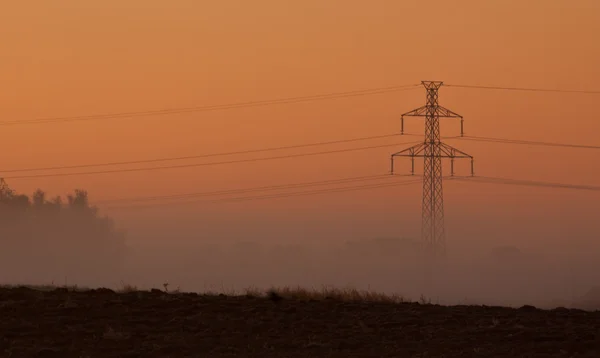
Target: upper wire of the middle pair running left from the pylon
249	151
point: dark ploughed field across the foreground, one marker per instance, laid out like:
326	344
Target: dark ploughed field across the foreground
101	323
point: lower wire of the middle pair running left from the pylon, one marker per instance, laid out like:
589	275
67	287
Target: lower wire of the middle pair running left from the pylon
201	164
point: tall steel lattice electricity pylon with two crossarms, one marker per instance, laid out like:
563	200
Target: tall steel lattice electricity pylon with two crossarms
433	233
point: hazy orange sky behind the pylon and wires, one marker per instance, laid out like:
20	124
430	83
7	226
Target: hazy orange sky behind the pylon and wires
69	57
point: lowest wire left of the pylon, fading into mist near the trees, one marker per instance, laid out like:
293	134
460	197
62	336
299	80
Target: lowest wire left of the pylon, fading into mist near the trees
273	196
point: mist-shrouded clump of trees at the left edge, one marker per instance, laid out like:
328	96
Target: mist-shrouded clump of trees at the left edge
55	239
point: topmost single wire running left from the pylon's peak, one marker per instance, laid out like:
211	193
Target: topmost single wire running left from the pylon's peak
288	100
